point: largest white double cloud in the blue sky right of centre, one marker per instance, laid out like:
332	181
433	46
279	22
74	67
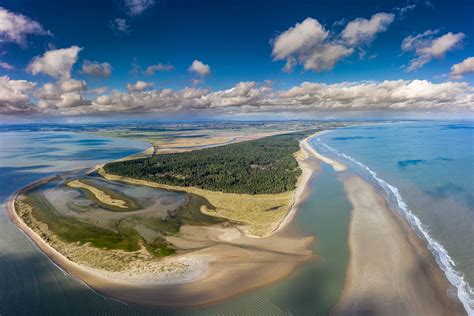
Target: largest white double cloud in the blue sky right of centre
309	44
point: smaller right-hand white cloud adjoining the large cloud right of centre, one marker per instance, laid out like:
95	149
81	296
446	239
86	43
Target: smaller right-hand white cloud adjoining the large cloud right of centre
363	31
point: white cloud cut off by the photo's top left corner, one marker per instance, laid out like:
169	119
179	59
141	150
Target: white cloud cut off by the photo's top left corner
16	27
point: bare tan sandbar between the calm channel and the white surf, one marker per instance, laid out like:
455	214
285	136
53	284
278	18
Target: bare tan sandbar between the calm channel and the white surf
391	271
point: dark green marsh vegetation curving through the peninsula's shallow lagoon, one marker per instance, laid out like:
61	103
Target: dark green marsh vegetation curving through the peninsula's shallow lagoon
124	236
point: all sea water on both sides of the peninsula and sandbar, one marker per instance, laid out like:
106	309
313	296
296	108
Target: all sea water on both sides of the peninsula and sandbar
431	164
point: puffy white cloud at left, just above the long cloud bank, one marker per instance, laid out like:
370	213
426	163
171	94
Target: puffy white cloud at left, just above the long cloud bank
56	63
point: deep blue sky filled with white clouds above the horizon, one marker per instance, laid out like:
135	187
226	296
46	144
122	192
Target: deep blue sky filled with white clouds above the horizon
151	58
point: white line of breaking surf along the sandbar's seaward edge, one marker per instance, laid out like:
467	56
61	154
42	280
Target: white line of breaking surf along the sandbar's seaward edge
464	291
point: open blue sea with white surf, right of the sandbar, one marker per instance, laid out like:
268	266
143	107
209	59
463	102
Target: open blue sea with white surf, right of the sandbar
427	171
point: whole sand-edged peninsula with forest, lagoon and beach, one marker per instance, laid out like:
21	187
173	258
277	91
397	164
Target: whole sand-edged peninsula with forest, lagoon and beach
186	220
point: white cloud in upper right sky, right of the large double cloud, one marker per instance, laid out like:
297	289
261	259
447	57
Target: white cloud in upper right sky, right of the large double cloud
426	47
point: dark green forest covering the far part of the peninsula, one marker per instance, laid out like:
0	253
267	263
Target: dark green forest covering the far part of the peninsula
260	166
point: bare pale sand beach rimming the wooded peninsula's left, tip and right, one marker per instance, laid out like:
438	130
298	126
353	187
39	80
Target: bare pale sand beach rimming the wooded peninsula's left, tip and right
220	271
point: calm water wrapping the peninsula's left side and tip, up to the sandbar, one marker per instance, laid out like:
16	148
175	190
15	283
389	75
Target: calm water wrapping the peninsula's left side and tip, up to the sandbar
30	284
